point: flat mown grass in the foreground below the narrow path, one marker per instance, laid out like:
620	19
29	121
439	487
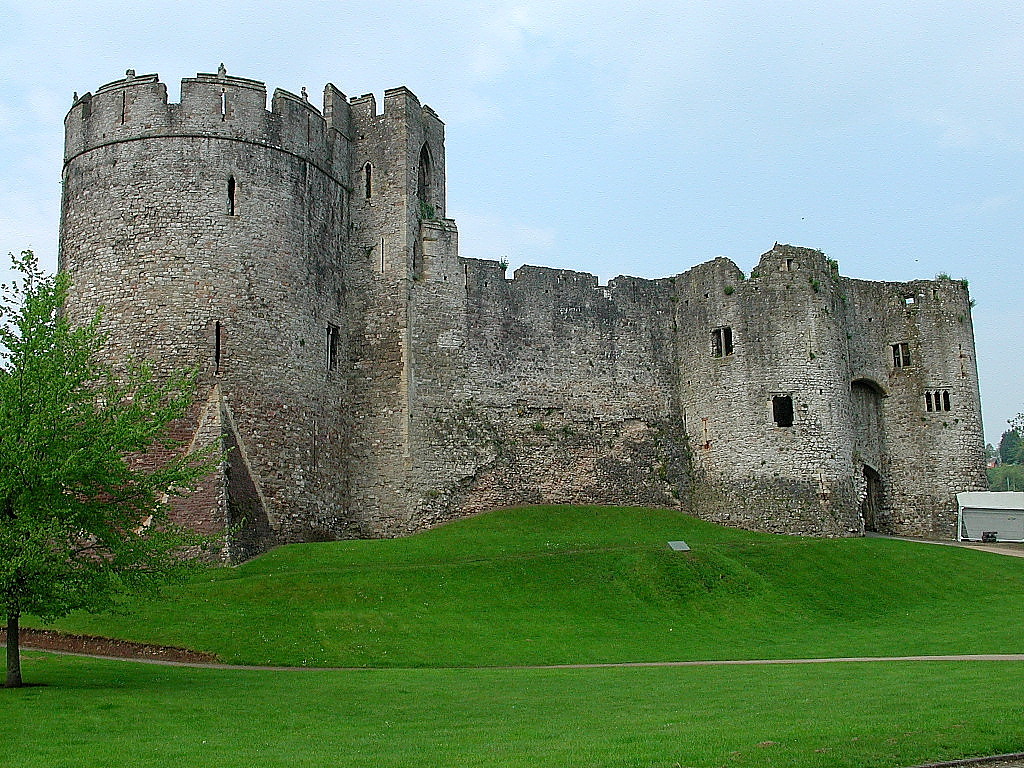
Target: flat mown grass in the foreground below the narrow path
104	714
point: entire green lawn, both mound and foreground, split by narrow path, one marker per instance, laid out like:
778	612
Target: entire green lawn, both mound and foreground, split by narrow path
545	586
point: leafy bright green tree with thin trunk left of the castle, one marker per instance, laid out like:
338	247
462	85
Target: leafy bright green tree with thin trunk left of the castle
82	519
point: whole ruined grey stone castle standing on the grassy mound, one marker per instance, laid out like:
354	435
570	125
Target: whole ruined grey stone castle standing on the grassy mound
371	382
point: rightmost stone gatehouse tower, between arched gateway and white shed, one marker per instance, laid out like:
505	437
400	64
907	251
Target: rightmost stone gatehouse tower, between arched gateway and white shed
934	444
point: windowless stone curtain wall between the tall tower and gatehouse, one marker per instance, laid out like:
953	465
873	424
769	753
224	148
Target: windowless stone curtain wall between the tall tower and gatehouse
544	389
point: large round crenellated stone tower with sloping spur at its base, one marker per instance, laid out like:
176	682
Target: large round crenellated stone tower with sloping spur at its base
211	233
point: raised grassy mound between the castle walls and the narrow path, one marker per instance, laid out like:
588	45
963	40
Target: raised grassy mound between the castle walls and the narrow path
552	585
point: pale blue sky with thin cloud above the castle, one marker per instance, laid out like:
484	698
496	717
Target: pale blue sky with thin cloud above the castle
619	139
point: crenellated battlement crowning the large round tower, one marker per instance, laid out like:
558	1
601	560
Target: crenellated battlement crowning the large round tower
212	106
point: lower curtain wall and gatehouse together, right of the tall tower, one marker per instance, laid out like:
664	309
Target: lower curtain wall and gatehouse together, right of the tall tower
549	388
